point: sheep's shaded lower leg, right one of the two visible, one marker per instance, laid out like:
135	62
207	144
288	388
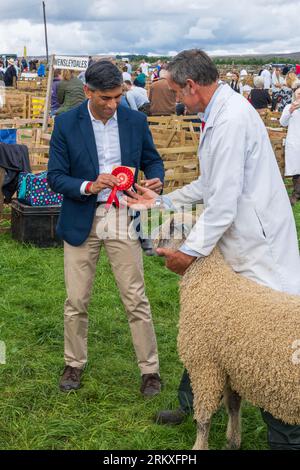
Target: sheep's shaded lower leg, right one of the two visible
233	405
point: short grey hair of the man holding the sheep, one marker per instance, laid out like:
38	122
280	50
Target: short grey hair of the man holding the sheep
193	64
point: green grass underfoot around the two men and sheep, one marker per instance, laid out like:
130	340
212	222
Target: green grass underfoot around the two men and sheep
108	412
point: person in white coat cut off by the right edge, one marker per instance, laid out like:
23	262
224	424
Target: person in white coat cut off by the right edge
291	118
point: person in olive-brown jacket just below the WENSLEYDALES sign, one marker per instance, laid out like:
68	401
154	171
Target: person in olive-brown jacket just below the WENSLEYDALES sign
70	92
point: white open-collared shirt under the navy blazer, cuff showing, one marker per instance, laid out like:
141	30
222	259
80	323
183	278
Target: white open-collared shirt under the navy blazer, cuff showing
108	148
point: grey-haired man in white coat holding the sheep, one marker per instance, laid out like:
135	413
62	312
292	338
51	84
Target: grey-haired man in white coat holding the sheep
246	207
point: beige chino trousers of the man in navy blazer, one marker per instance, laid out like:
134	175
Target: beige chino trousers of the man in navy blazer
113	231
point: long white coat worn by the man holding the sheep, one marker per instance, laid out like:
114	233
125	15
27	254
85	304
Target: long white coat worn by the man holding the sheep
246	206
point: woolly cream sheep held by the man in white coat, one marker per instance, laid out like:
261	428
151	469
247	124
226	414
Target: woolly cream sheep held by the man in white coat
236	338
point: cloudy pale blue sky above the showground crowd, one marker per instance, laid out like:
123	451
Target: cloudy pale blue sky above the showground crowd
150	26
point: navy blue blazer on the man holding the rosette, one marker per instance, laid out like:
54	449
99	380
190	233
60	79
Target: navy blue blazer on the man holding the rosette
73	159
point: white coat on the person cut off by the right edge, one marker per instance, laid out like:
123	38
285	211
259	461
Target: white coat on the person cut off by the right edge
292	144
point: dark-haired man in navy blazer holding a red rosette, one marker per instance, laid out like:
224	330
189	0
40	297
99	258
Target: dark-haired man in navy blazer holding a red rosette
86	144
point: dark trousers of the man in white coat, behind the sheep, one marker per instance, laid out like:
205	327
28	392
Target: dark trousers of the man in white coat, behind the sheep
281	436
